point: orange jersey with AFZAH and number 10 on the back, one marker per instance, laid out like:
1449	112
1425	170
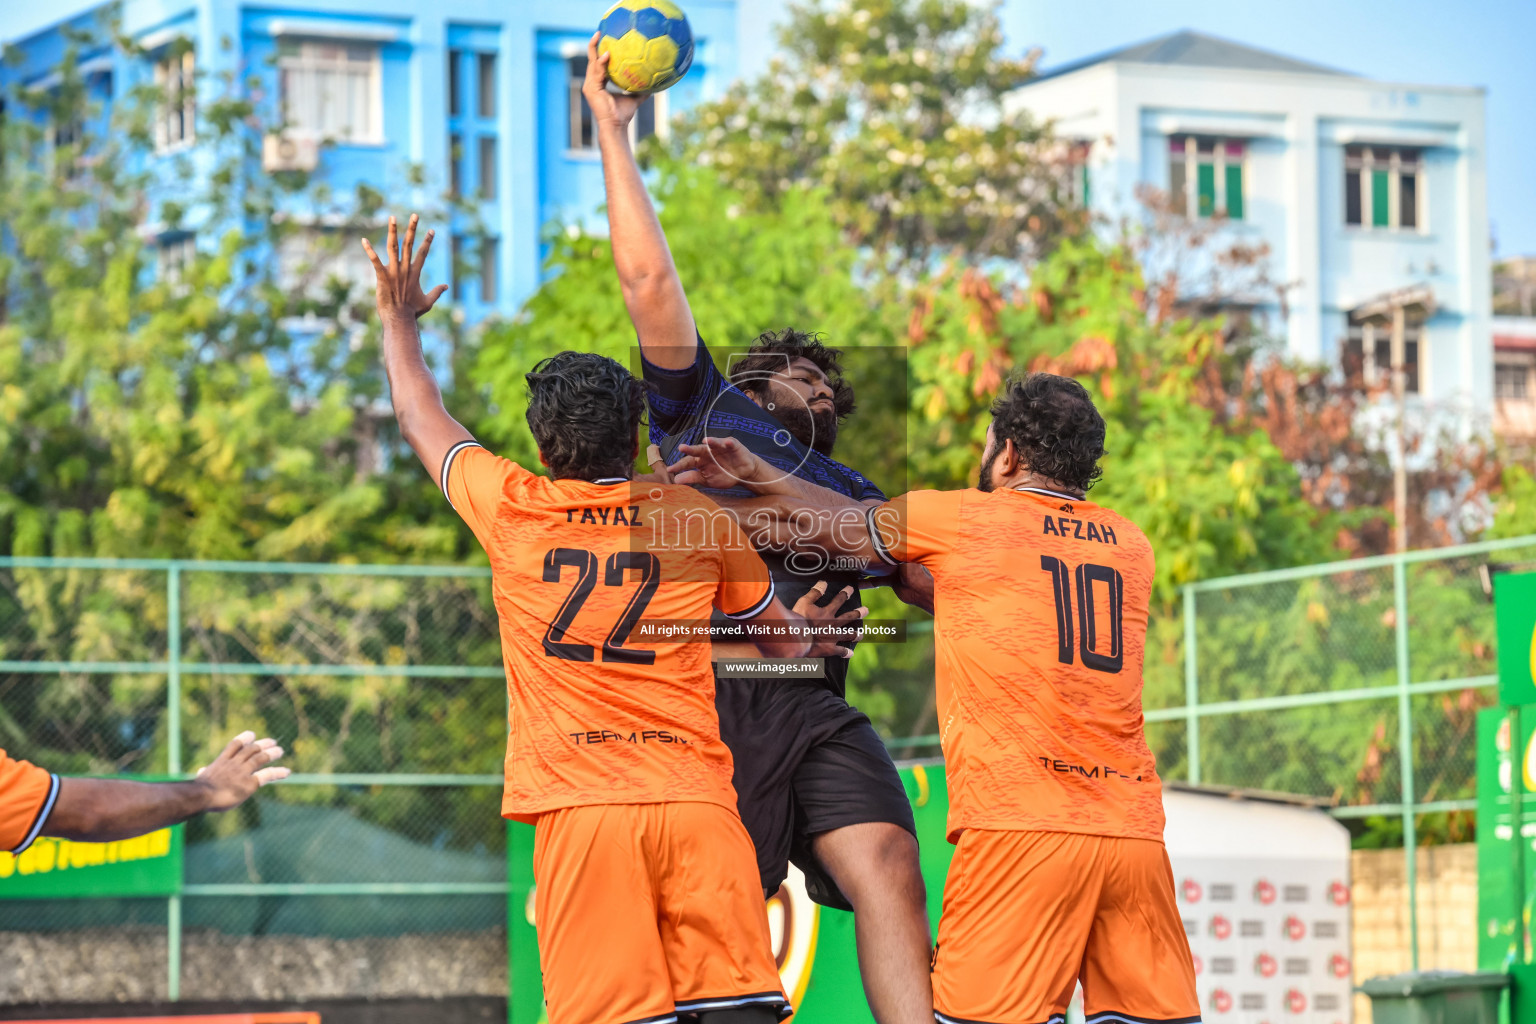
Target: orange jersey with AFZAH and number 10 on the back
1041	615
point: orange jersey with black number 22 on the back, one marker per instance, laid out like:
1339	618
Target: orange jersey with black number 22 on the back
604	710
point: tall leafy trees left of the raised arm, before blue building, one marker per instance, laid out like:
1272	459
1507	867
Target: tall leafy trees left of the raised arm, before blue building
217	403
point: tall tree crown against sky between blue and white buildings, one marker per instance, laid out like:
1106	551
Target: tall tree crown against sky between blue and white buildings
896	108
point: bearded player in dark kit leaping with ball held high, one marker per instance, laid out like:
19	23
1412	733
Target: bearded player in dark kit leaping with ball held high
816	785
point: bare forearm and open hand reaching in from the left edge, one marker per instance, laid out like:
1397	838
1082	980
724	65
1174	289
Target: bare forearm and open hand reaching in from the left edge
105	810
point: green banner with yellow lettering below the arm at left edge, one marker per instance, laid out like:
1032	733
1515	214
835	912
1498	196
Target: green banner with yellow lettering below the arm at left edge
51	870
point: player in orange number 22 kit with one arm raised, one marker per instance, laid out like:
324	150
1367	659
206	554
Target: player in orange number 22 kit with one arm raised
647	890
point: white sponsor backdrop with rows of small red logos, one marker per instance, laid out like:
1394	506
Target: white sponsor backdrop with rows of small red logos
1263	890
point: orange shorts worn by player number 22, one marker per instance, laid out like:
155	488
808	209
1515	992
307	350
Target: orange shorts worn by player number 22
650	913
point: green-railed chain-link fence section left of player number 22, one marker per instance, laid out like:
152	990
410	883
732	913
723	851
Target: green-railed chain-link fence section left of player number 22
379	868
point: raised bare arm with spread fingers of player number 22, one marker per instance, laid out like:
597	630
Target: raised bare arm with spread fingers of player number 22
425	423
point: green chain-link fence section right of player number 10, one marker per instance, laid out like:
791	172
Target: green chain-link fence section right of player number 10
1357	682
